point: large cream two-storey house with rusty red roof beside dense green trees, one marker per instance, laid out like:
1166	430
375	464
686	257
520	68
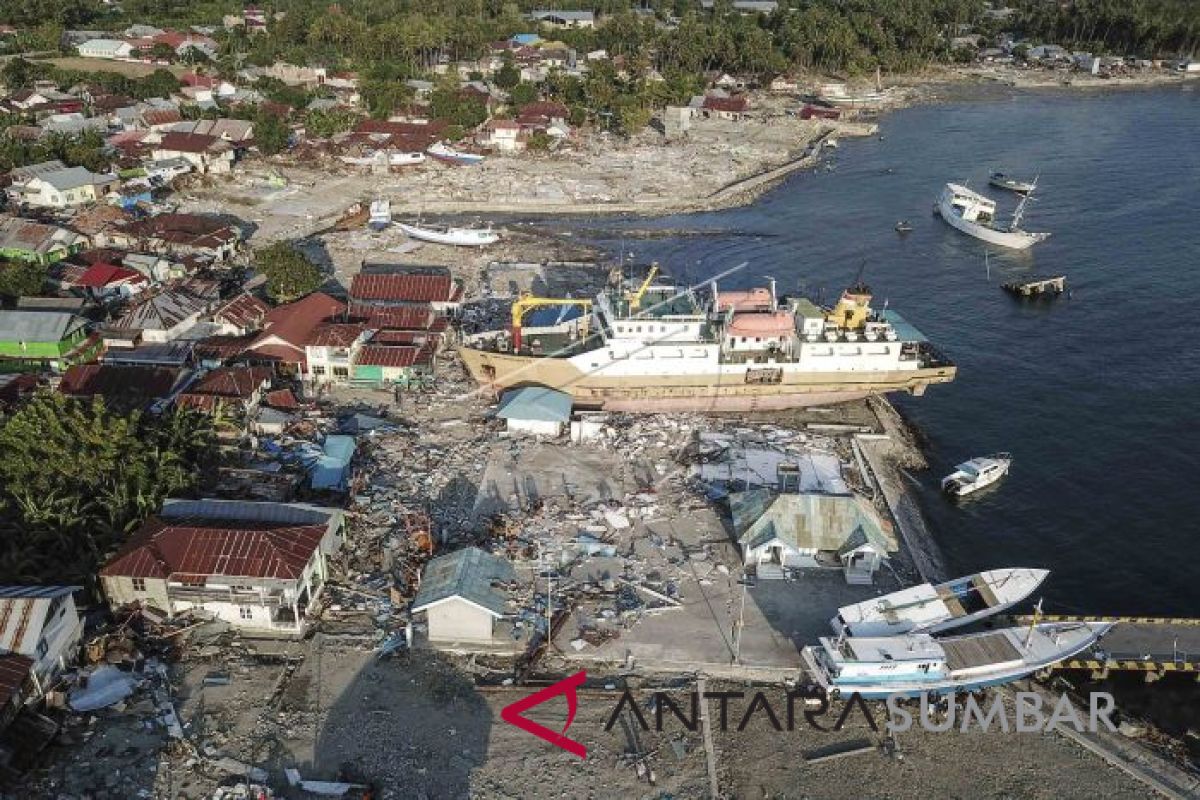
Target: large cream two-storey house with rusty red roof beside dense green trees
256	566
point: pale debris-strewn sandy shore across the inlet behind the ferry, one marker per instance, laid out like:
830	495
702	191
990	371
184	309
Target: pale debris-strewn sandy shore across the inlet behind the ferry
601	175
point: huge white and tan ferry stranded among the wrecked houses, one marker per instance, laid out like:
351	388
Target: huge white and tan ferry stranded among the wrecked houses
658	347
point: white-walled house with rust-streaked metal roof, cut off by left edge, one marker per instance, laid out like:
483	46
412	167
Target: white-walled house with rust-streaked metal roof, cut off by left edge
44	625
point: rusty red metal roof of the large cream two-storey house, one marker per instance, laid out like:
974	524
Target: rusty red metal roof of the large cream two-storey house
203	548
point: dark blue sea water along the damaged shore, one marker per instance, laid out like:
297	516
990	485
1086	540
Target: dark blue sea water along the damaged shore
1096	395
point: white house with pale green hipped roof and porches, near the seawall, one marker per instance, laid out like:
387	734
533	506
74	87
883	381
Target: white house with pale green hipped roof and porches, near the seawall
812	531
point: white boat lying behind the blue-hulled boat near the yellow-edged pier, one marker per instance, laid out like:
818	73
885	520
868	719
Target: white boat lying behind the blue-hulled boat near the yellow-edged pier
932	610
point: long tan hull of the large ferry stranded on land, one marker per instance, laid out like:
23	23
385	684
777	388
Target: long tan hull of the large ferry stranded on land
692	393
